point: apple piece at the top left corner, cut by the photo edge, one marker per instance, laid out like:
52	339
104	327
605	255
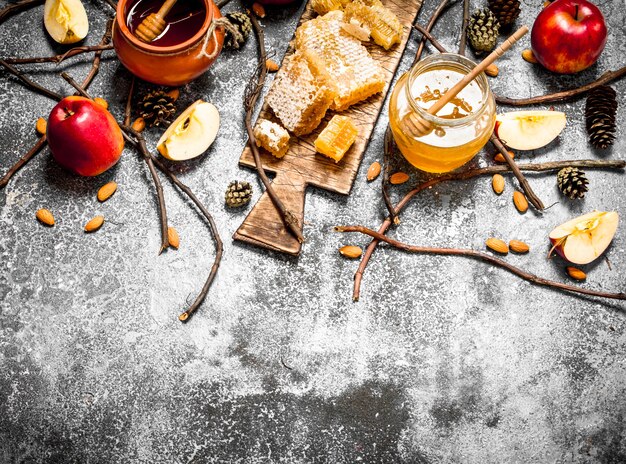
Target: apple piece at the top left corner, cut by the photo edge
65	20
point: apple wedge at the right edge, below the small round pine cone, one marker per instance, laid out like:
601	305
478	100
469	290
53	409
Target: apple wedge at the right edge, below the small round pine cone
585	238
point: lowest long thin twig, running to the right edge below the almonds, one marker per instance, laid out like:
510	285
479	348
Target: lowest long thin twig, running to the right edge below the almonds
532	278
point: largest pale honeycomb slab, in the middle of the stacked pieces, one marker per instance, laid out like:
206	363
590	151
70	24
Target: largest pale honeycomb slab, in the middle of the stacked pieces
356	74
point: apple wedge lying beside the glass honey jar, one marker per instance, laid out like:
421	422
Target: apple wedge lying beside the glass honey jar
529	130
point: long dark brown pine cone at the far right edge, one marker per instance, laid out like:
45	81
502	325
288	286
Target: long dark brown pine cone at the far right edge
600	114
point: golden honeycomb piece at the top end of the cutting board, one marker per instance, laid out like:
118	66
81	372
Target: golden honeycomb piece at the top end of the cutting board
386	28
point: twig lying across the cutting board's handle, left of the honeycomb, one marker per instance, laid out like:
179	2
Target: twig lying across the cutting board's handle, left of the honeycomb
253	90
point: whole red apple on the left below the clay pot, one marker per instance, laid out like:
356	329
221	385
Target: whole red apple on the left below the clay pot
83	136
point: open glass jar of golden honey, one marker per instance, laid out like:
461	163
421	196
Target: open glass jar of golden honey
458	131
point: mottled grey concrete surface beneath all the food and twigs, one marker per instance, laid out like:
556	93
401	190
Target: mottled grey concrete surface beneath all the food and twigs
443	359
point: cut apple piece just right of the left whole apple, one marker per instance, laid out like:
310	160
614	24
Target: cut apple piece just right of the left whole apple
192	133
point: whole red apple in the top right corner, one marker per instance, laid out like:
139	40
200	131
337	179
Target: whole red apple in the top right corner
566	45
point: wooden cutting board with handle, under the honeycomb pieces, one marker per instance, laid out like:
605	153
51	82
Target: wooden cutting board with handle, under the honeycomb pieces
302	166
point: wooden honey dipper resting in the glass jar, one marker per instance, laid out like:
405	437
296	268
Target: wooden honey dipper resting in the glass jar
418	126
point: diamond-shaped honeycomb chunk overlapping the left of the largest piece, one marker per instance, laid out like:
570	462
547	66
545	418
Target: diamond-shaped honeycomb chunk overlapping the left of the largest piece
301	92
